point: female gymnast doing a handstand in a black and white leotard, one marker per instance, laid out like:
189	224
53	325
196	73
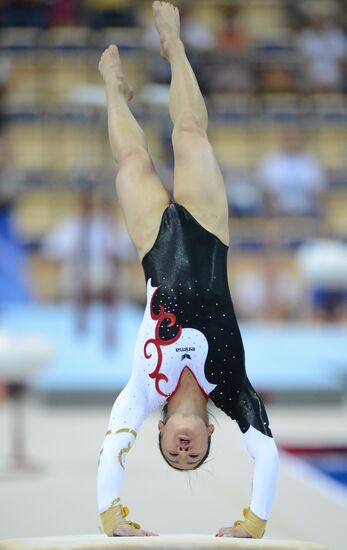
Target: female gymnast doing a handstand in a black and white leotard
189	348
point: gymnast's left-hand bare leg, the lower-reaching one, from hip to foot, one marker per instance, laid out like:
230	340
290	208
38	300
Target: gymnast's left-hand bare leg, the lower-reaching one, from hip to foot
140	191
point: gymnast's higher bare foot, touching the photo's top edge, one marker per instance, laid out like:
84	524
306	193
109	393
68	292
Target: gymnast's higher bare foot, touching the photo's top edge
167	22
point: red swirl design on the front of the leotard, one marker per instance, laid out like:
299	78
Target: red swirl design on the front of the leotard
158	342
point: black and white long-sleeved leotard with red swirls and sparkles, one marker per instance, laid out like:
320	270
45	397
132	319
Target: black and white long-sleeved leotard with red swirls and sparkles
189	321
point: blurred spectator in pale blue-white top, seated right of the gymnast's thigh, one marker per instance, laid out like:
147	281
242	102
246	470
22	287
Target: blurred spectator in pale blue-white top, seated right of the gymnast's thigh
291	178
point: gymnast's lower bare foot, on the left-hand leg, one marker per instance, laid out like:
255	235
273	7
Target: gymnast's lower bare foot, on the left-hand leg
110	67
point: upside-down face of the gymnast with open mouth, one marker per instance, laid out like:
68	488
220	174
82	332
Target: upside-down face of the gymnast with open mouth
184	440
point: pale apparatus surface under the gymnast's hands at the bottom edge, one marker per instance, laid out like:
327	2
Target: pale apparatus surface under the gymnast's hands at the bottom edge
185	542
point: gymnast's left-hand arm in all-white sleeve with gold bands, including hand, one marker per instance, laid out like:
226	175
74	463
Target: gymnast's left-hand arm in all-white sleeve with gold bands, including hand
128	413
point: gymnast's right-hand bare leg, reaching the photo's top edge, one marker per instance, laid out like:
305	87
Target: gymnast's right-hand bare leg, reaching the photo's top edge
198	182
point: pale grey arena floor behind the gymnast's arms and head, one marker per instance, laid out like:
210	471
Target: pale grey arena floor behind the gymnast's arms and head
58	498
